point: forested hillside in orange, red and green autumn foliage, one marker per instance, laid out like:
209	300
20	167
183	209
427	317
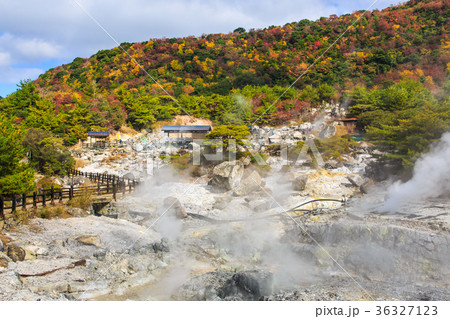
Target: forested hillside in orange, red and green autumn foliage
233	78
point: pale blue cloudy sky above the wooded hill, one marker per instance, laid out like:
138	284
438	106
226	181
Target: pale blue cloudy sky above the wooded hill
38	35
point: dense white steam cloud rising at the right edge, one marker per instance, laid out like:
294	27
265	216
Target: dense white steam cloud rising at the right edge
431	178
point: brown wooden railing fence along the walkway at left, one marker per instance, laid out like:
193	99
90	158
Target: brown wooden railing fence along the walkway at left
105	184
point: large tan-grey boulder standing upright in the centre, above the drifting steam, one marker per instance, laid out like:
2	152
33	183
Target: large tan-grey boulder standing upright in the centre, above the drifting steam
227	175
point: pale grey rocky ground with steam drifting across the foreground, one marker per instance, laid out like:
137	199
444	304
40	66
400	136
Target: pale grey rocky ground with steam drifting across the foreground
233	237
